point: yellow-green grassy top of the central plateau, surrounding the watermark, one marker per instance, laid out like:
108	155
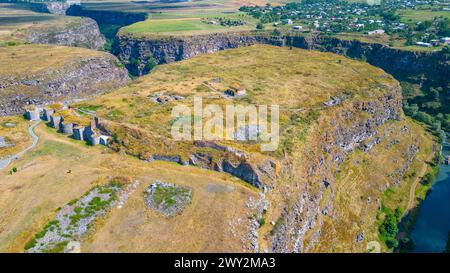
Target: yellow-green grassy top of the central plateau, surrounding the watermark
294	79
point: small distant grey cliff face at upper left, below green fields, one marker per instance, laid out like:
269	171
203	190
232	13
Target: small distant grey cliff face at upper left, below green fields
80	32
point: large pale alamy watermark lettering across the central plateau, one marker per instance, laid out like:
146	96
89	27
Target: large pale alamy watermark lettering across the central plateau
236	122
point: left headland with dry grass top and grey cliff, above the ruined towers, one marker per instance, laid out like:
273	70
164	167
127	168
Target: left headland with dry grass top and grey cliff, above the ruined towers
41	74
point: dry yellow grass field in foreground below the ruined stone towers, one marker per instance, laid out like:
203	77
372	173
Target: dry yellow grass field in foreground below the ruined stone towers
29	198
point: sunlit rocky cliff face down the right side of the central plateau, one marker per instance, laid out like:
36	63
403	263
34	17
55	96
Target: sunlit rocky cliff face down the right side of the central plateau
299	227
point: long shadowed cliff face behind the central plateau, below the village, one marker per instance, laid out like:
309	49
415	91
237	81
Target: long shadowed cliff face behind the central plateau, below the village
135	51
